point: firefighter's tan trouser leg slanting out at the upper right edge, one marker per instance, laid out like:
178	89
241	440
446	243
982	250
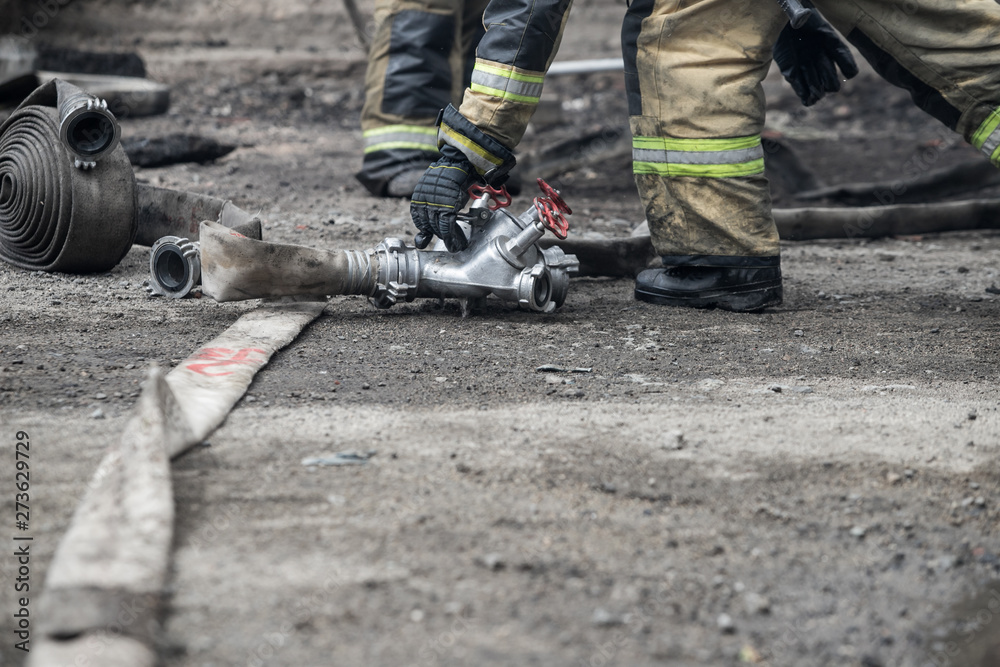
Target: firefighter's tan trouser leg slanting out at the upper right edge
946	53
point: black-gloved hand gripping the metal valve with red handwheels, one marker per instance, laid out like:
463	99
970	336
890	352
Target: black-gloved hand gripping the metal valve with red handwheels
440	194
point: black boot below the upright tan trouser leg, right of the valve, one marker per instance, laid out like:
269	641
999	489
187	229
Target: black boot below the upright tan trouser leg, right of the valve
740	289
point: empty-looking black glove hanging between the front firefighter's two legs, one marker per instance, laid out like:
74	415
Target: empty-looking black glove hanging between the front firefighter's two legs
808	58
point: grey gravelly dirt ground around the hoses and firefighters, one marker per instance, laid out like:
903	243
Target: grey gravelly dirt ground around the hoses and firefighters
667	507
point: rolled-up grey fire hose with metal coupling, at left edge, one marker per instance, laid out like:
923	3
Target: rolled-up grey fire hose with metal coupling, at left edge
67	191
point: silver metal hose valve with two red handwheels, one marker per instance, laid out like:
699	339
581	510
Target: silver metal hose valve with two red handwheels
502	258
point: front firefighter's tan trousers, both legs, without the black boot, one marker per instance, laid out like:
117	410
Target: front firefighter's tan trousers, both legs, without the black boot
696	106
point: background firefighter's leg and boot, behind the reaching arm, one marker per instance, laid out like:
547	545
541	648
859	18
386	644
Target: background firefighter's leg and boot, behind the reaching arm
420	60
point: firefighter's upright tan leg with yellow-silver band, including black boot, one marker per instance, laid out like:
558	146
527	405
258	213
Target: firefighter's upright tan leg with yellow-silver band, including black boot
693	71
